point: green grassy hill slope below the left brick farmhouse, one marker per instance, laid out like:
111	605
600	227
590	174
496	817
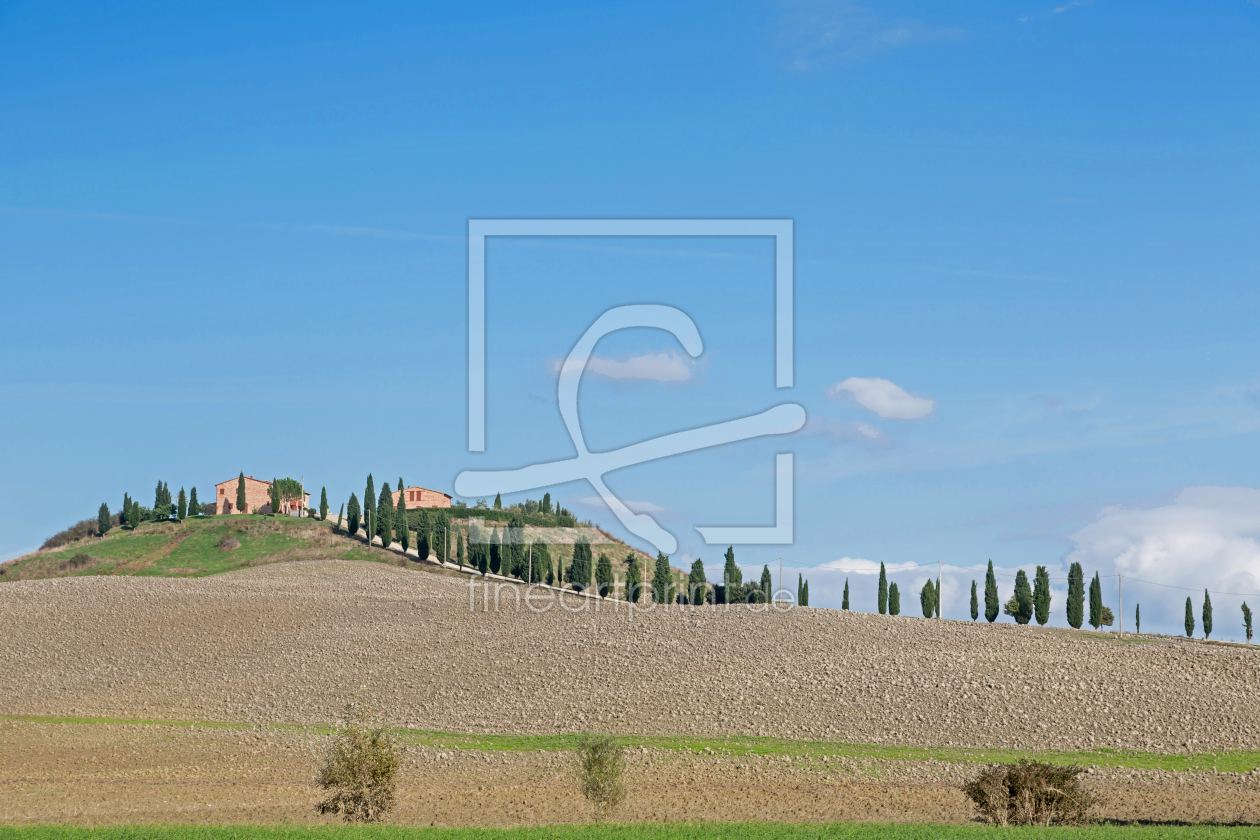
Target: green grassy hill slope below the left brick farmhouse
191	550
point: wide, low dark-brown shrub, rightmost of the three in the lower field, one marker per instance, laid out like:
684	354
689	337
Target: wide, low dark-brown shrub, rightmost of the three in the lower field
1030	794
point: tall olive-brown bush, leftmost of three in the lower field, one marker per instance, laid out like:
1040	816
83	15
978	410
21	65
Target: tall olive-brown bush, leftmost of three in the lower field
361	768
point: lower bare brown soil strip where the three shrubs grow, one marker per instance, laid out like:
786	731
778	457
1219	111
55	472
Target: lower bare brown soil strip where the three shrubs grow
100	774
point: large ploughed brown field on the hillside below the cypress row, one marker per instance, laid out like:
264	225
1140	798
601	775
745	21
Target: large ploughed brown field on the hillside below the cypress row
290	643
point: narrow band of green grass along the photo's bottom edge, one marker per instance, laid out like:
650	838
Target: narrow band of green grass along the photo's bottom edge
638	832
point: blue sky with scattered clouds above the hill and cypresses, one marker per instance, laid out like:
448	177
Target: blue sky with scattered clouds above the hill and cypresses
232	239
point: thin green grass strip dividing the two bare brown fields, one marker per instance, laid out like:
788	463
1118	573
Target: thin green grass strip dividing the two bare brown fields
1238	761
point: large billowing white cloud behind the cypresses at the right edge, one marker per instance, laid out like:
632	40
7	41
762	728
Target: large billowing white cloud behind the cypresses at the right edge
1208	538
